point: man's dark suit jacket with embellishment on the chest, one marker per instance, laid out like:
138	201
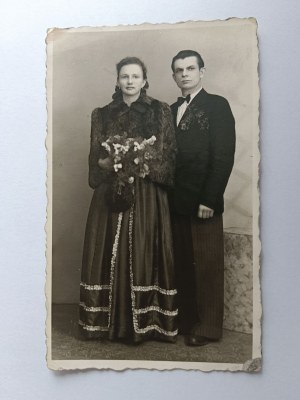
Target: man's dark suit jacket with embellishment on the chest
206	145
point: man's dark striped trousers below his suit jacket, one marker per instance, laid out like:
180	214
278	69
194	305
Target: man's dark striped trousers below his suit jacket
199	267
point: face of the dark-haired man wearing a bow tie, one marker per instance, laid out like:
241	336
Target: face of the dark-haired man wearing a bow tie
187	74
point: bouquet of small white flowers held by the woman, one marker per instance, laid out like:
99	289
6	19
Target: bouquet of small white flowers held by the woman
130	158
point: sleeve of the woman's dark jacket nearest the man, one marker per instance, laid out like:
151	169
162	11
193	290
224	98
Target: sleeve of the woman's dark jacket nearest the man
163	166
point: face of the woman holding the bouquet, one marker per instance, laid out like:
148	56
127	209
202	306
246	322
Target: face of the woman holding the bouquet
131	79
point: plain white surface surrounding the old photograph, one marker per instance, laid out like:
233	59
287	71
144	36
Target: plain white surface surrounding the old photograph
24	374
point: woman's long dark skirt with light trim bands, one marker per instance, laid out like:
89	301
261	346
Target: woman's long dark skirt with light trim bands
127	286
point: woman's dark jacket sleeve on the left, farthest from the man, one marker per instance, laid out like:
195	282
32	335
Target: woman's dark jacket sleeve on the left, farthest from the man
96	174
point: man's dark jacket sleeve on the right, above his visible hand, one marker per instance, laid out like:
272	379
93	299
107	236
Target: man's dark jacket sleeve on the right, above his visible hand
222	149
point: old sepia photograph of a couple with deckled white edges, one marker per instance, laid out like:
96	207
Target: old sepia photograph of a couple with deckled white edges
153	197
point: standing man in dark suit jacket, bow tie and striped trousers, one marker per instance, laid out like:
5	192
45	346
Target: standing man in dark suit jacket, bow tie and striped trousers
205	138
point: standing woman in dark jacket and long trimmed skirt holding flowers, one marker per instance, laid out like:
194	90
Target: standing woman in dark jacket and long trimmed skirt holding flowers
127	282
